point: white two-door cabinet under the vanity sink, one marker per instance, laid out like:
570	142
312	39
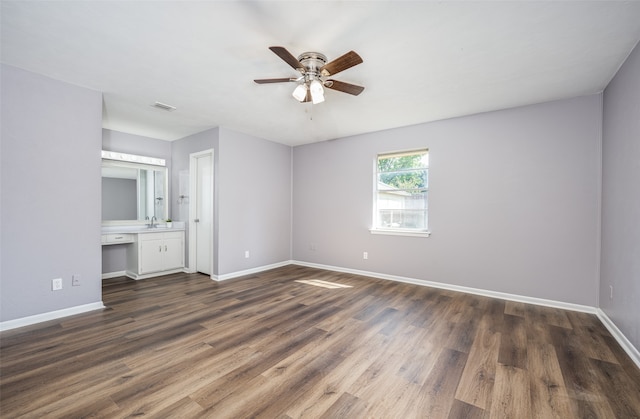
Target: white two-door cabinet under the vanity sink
155	254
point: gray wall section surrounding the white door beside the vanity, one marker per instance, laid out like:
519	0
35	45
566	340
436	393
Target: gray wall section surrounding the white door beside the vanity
180	151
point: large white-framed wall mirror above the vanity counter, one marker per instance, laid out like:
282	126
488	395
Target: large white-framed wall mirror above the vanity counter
133	193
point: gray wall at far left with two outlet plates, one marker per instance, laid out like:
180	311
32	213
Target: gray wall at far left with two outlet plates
50	182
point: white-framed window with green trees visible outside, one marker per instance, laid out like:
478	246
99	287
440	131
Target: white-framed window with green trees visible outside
401	189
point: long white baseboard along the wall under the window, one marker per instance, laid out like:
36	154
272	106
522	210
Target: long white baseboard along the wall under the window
459	288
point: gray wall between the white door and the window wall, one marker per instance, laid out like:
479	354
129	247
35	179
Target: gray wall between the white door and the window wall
253	202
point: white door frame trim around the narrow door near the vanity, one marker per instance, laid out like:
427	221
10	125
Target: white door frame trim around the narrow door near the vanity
193	194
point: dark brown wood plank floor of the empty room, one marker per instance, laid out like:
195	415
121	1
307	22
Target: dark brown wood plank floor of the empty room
183	346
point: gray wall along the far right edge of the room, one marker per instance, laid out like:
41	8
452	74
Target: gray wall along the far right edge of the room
620	266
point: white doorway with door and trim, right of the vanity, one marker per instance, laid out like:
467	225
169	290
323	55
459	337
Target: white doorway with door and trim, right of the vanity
201	212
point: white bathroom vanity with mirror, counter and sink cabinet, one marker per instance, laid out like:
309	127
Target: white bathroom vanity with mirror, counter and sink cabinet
135	193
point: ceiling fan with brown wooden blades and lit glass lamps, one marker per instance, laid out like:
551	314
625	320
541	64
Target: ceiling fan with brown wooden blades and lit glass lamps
315	71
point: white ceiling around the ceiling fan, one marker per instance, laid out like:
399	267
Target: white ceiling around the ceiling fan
423	60
